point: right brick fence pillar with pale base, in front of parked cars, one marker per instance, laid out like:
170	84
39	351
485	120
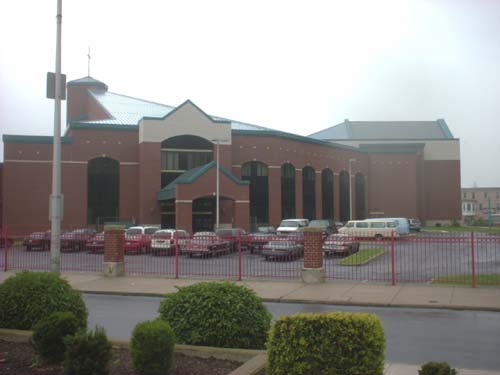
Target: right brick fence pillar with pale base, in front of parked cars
313	271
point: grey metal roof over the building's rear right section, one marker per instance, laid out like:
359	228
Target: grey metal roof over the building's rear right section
361	130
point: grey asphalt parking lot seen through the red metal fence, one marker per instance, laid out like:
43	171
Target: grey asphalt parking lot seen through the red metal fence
419	258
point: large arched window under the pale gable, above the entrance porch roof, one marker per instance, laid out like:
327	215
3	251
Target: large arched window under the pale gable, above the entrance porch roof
182	153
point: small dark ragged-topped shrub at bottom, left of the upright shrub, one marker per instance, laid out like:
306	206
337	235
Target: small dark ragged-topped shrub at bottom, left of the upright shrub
87	353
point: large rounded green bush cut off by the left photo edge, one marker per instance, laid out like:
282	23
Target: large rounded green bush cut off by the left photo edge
29	297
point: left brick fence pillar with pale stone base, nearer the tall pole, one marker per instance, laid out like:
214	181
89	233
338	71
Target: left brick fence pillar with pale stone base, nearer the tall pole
114	260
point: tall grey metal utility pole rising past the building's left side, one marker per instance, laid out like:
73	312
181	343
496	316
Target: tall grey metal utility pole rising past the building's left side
55	198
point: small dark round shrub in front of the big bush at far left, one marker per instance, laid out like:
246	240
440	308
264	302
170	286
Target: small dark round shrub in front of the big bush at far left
49	333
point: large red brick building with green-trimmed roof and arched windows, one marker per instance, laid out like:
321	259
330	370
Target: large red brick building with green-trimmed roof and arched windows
127	159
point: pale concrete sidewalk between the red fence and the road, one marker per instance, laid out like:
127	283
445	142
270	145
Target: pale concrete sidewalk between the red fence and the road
338	292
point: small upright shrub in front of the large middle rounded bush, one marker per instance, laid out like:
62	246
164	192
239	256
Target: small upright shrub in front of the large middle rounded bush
152	347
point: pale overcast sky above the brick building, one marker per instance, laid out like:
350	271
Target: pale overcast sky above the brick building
297	66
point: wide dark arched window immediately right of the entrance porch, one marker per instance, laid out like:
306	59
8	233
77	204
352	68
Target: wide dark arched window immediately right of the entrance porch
256	173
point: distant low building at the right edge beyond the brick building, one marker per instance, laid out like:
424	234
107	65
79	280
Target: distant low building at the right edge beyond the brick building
481	204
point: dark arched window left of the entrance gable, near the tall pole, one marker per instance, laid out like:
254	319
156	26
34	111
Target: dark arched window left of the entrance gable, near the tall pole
103	195
